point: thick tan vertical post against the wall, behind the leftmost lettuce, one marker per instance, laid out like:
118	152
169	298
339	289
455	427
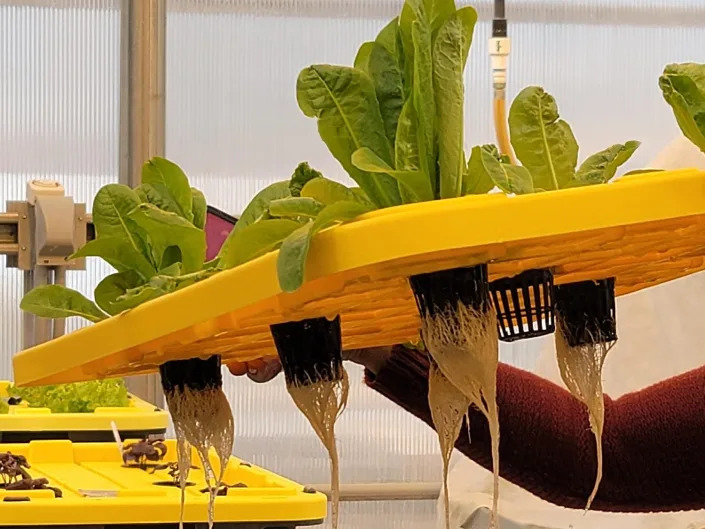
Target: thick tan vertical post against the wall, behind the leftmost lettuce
142	114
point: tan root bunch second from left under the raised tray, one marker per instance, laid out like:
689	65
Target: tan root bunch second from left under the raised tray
322	402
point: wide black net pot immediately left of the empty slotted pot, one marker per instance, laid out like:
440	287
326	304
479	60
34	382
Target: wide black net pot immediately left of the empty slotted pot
438	292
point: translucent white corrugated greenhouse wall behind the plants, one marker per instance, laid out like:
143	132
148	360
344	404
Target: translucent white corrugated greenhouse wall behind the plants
233	124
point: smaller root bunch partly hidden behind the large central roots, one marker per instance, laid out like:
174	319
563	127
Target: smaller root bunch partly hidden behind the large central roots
448	407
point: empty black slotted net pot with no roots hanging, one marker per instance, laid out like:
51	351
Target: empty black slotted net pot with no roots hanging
524	305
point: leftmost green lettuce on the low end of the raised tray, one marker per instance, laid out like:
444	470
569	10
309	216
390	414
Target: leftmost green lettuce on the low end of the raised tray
152	236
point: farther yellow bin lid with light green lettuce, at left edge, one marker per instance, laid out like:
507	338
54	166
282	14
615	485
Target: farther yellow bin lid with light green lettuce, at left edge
139	416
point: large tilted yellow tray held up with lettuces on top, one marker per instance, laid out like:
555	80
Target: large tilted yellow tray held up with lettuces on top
643	229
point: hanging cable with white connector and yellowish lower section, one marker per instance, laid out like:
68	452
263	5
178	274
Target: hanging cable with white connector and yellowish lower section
499	55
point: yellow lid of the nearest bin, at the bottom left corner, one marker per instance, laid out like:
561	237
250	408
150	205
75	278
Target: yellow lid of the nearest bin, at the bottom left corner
98	489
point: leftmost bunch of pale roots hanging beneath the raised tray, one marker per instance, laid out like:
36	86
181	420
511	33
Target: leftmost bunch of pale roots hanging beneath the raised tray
203	420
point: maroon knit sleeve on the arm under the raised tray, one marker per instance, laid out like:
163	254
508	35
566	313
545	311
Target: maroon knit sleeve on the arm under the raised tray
653	442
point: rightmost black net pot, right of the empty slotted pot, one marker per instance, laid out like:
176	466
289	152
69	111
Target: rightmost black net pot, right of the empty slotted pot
587	311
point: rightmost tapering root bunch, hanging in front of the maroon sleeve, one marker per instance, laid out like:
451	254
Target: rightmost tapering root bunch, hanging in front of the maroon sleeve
581	371
